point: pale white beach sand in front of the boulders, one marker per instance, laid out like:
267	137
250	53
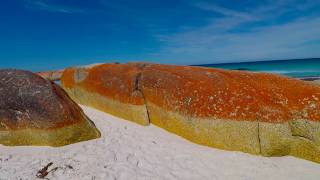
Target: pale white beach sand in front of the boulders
130	151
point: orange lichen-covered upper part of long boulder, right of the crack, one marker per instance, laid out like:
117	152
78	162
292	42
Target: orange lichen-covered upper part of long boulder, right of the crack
207	92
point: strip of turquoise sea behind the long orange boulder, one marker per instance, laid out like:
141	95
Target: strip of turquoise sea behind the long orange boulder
294	68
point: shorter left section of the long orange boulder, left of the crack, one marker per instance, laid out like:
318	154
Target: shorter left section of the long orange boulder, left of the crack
112	88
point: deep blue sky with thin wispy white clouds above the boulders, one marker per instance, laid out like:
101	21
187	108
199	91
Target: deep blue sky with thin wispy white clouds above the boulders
51	34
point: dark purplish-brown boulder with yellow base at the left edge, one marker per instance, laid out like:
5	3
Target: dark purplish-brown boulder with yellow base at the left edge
35	111
